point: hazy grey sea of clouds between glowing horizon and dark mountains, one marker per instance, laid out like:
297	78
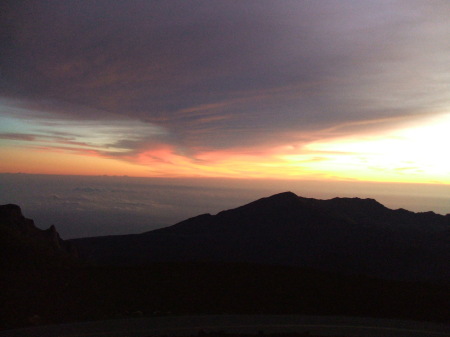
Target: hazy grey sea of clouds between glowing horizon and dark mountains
82	206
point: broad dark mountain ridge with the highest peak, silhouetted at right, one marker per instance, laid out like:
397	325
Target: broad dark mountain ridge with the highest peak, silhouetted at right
350	235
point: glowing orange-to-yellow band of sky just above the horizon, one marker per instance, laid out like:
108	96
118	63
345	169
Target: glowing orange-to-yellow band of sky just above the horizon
409	154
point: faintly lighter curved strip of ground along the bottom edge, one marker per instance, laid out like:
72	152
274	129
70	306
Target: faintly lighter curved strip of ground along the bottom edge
254	324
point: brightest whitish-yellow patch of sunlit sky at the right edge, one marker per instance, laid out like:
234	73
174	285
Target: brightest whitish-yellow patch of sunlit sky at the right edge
414	154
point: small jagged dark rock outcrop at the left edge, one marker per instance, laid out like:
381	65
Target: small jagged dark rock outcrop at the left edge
23	245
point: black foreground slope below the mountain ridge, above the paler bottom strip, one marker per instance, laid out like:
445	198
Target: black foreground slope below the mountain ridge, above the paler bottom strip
92	293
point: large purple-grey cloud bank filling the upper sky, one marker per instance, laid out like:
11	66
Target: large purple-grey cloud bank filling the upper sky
221	74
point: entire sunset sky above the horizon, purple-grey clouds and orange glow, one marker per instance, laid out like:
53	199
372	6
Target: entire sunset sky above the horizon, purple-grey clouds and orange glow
324	90
